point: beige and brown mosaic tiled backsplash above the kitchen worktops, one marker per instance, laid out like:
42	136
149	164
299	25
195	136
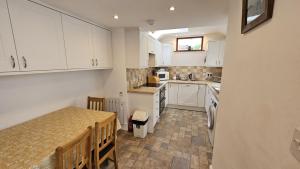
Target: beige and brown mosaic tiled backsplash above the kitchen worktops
137	77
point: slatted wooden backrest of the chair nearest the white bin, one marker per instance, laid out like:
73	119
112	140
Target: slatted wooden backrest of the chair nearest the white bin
105	133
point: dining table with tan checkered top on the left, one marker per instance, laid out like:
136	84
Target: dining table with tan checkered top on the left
32	144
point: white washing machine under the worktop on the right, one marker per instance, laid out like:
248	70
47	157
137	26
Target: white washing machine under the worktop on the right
211	118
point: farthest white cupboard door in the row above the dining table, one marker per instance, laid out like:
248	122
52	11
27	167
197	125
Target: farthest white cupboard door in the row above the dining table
101	41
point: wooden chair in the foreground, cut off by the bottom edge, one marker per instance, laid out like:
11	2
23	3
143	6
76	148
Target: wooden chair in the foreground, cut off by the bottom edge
79	147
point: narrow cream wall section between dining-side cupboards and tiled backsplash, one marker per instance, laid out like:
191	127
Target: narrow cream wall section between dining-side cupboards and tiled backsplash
115	80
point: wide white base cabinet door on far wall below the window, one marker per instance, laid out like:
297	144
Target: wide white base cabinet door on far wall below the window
188	95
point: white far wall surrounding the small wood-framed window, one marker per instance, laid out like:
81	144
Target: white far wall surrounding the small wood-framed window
191	58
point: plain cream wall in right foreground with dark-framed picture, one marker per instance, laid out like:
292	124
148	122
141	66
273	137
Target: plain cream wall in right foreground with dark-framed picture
259	101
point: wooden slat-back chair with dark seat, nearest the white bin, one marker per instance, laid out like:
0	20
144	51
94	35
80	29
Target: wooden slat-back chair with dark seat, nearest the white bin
105	143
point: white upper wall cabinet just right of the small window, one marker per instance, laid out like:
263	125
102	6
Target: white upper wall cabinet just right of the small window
215	54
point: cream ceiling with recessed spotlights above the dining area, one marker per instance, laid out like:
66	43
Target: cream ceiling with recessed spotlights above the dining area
134	13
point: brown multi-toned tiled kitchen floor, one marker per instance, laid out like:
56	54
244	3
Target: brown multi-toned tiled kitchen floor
180	141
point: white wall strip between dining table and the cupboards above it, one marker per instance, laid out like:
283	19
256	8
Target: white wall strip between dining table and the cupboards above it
28	96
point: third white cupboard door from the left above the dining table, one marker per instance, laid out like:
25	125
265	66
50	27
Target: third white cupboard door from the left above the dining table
78	42
